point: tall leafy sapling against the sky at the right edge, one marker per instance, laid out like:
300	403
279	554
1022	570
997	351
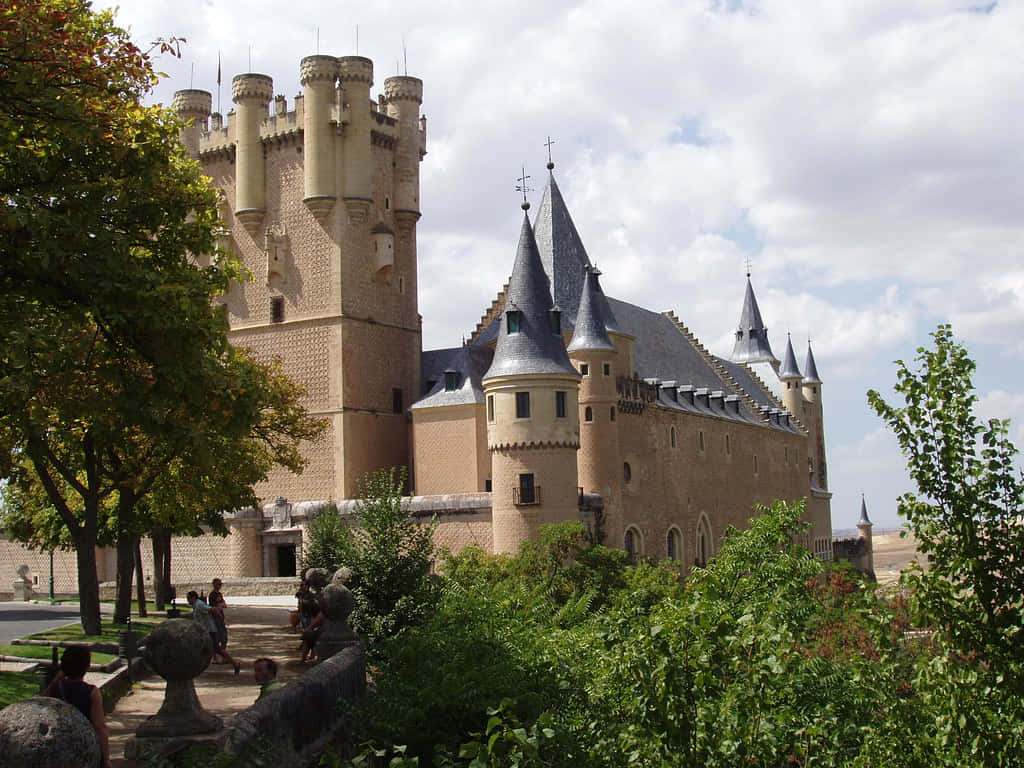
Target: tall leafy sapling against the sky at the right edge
968	517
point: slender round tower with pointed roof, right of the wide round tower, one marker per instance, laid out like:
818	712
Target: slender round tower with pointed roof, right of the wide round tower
592	351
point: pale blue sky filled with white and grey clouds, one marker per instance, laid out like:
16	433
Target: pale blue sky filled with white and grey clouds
865	155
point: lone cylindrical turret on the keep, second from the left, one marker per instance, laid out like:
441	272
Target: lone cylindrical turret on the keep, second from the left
251	95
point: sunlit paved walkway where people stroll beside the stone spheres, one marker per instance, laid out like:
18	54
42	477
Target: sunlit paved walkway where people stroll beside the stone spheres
258	627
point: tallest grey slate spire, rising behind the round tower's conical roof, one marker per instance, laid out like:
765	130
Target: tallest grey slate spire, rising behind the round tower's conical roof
562	250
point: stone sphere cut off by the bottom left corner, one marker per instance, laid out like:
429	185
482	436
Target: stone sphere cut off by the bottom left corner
44	733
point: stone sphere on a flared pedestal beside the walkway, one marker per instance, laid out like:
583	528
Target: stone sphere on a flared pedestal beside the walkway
180	651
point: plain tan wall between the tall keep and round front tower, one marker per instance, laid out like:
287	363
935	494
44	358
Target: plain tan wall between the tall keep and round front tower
451	450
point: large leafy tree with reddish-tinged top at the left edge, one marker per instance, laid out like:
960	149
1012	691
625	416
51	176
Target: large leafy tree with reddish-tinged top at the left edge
114	364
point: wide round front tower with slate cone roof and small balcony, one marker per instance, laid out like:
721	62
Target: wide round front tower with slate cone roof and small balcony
532	393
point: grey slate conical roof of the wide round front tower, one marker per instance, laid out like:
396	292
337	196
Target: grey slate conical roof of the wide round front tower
537	348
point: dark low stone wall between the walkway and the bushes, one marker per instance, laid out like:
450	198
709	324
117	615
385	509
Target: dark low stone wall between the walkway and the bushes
302	719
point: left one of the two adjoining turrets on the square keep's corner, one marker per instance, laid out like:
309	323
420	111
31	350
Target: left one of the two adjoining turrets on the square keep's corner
318	75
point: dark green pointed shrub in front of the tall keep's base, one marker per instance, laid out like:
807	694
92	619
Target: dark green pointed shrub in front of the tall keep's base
392	557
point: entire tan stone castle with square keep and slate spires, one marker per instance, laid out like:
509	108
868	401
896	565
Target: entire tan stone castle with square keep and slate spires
564	404
